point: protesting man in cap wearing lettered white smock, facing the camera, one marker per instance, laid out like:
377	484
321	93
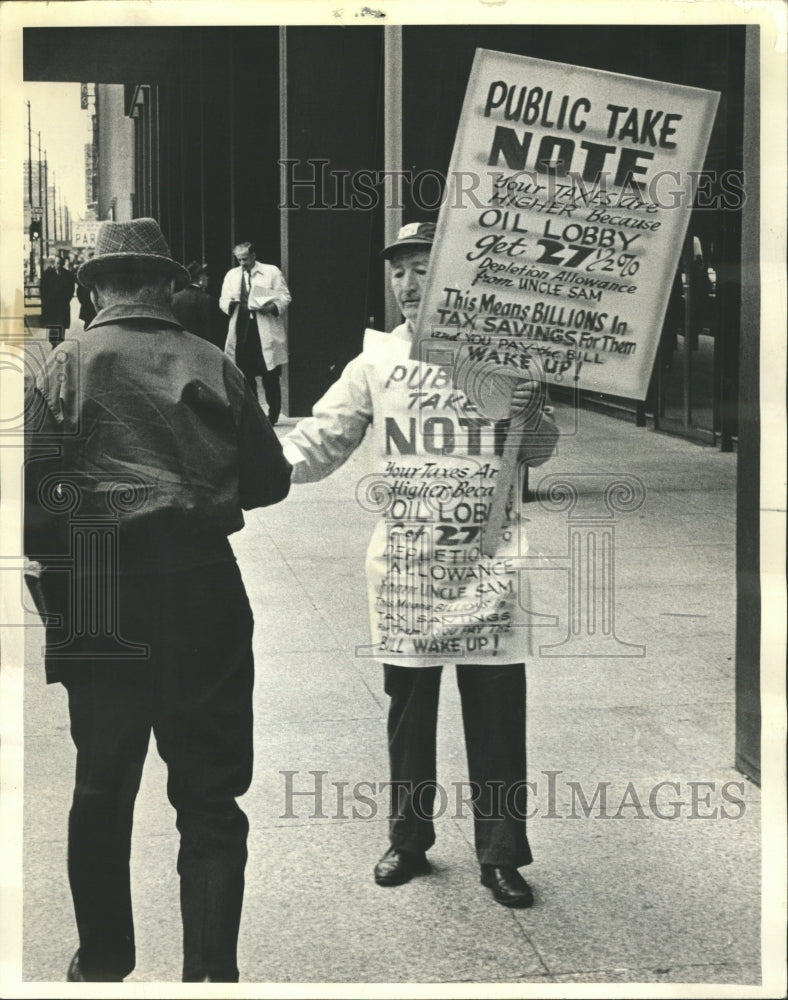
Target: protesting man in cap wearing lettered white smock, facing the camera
433	461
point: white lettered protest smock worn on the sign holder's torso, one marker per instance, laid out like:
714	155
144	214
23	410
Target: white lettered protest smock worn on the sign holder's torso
435	588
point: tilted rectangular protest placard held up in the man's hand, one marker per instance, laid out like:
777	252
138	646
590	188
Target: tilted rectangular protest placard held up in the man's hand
567	202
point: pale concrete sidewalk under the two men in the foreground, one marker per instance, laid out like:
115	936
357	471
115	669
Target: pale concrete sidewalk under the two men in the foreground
622	895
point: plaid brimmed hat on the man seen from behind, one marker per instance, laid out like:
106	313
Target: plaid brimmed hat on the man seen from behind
135	244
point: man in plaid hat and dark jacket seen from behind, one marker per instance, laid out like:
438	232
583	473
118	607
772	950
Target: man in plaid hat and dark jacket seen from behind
145	445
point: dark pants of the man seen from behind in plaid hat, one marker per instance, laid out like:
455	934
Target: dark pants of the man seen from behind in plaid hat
195	693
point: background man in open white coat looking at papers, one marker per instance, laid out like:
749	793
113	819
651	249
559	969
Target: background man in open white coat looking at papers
255	297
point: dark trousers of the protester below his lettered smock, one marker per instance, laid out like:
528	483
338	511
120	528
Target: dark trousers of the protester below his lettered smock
493	711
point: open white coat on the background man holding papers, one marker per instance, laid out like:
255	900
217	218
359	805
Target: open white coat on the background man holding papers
268	285
